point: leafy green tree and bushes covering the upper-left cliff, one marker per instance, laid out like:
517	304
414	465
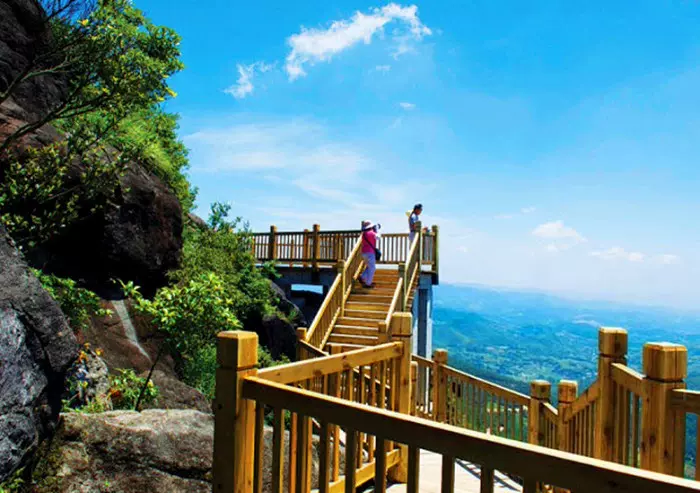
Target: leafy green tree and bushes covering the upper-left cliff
119	63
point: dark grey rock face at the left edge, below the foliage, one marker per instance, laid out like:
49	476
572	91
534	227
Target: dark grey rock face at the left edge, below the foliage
36	349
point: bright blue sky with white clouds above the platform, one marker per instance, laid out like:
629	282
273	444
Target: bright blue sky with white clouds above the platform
555	143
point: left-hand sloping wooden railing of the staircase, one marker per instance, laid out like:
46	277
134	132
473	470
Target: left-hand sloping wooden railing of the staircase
333	304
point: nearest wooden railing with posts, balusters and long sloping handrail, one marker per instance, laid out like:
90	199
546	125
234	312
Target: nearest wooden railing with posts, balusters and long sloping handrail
381	439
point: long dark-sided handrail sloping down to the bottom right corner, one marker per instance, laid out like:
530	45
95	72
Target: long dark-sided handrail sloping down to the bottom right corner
525	460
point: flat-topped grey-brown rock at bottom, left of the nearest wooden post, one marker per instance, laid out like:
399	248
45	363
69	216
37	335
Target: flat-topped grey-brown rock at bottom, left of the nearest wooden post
155	451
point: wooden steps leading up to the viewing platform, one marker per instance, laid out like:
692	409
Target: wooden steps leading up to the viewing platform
365	310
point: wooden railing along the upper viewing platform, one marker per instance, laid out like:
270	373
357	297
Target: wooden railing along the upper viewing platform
323	248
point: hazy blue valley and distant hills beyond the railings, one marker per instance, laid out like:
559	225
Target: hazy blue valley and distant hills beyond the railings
513	337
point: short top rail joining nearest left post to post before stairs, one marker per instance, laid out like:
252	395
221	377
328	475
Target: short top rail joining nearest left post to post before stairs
302	370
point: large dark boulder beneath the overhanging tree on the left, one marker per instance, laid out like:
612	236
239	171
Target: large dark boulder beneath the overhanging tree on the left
136	236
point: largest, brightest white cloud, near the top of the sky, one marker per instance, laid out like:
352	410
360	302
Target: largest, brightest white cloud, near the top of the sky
319	45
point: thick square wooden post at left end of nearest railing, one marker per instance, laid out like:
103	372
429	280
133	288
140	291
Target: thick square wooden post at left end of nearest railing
234	417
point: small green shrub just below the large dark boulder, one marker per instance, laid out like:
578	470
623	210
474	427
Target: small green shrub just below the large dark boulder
77	304
